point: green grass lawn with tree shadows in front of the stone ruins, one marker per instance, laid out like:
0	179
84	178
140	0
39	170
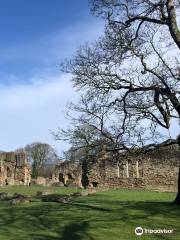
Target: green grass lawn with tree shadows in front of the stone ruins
108	215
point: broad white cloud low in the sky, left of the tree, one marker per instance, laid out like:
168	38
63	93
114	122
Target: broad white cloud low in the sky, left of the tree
29	112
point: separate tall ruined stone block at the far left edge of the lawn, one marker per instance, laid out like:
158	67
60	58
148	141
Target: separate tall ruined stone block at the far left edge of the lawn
14	169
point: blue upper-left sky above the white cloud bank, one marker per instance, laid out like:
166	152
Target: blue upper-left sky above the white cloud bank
38	33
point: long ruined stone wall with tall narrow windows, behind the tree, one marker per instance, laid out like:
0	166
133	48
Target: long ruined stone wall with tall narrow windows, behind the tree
157	170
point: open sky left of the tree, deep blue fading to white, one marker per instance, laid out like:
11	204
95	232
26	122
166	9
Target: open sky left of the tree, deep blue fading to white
35	36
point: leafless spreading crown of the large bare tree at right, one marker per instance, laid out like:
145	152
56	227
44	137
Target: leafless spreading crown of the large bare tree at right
130	78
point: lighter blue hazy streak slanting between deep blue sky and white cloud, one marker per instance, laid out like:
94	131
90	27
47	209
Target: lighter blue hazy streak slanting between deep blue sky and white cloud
48	50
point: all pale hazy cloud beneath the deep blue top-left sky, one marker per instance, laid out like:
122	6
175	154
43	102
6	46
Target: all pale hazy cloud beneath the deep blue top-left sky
33	92
